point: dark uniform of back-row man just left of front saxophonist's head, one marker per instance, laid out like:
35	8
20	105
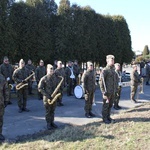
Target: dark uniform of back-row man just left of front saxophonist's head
39	73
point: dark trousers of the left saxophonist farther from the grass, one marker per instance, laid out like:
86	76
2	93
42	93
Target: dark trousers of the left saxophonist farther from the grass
22	98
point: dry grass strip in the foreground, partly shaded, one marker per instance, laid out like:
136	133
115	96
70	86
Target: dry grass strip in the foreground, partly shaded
130	132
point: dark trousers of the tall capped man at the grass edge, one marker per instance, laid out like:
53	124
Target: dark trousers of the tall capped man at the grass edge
107	105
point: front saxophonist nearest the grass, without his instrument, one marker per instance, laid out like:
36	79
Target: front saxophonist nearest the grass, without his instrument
47	86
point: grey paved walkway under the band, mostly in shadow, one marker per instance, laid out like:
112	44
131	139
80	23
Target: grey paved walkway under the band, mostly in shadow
18	124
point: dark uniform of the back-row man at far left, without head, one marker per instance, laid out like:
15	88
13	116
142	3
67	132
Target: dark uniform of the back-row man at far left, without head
7	70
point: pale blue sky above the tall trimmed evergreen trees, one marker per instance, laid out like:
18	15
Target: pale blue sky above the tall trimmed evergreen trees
136	13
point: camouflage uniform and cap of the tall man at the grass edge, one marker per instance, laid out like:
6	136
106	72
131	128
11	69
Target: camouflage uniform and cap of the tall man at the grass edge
108	80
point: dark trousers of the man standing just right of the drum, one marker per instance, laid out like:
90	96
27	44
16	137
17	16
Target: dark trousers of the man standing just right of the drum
88	102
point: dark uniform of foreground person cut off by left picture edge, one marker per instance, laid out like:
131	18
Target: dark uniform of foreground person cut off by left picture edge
4	99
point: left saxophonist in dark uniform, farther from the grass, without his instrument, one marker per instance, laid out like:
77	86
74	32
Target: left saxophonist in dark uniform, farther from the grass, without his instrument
19	76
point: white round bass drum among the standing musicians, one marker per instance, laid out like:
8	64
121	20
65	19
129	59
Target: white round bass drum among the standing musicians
79	92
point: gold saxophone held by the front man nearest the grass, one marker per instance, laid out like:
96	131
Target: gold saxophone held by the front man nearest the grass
56	95
